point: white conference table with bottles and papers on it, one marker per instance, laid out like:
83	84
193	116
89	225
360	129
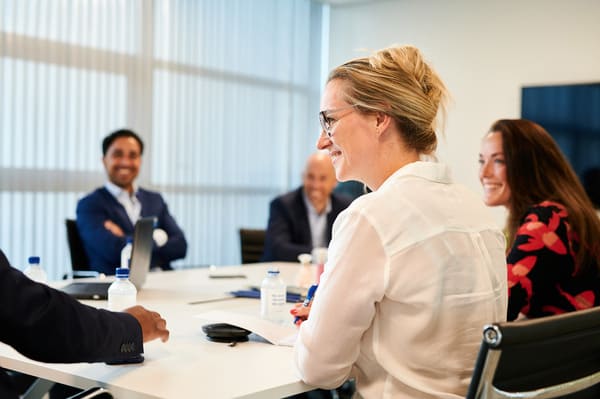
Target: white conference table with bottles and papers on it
188	365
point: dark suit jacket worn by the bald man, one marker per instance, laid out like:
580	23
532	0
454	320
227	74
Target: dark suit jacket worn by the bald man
288	231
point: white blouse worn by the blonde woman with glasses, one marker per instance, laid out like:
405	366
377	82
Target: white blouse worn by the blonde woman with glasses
415	270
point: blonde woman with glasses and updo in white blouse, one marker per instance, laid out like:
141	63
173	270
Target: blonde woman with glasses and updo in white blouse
417	267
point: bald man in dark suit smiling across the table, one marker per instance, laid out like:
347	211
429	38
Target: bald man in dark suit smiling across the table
302	219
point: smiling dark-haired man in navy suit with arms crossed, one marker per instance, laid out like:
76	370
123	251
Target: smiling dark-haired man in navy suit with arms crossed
107	216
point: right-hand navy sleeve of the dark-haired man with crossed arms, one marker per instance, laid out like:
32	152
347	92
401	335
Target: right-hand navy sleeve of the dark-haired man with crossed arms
176	246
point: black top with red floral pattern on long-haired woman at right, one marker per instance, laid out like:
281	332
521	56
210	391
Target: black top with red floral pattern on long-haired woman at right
541	265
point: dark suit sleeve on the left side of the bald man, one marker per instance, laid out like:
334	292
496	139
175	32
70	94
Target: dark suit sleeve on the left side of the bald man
279	244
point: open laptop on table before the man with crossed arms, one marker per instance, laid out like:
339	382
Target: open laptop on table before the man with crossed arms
141	254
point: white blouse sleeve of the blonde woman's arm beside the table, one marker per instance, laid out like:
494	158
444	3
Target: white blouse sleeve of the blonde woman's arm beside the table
328	343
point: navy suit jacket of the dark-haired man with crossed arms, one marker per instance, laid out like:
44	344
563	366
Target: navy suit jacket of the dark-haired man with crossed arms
104	248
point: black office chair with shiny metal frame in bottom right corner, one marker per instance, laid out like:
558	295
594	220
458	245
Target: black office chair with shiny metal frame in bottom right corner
549	357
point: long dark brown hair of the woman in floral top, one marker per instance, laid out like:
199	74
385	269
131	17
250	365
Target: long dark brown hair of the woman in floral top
537	171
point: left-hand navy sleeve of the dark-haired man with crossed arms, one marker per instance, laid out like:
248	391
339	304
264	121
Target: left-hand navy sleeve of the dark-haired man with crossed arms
102	247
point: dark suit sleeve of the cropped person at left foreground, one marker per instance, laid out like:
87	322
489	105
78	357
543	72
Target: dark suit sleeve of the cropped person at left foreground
47	325
